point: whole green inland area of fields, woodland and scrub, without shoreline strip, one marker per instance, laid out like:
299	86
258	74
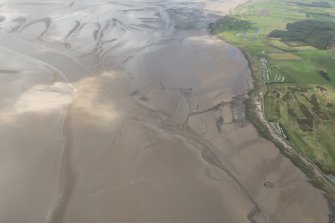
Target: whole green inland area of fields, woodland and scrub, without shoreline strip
300	75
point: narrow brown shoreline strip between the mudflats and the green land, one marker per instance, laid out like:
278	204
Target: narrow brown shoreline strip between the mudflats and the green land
254	111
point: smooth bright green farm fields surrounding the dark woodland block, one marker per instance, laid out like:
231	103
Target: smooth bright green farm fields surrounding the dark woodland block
250	25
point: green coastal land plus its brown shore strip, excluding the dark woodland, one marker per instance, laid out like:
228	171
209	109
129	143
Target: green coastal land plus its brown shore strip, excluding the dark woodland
304	115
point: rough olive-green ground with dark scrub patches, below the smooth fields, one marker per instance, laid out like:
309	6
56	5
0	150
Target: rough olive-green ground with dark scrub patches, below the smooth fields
308	116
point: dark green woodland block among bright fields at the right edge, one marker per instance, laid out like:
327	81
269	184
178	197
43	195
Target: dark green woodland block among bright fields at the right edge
319	34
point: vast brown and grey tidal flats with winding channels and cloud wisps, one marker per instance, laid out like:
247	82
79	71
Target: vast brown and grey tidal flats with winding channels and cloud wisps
129	111
